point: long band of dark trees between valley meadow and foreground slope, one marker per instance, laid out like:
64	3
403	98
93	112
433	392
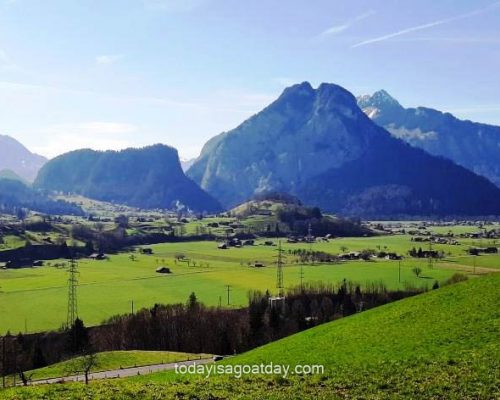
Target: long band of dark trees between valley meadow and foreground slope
195	328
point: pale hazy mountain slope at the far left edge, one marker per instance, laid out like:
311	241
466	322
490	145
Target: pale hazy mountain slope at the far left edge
14	156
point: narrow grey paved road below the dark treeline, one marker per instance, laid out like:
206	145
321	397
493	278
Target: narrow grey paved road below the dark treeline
121	373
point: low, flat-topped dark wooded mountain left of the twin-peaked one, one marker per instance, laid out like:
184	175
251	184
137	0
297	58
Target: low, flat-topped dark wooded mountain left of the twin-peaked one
150	177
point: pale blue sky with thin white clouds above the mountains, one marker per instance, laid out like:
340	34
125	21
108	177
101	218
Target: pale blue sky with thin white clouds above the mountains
112	74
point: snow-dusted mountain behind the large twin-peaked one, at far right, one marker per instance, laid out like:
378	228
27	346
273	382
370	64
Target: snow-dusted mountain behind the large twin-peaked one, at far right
473	145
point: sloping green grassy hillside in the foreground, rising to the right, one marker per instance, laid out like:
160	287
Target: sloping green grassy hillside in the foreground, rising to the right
442	344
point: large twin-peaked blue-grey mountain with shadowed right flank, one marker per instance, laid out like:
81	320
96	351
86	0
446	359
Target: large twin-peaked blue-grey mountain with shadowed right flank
318	145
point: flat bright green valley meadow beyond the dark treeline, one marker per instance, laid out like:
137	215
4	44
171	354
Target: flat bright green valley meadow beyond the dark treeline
34	299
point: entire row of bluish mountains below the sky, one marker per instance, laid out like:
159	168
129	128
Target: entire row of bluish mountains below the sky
362	157
